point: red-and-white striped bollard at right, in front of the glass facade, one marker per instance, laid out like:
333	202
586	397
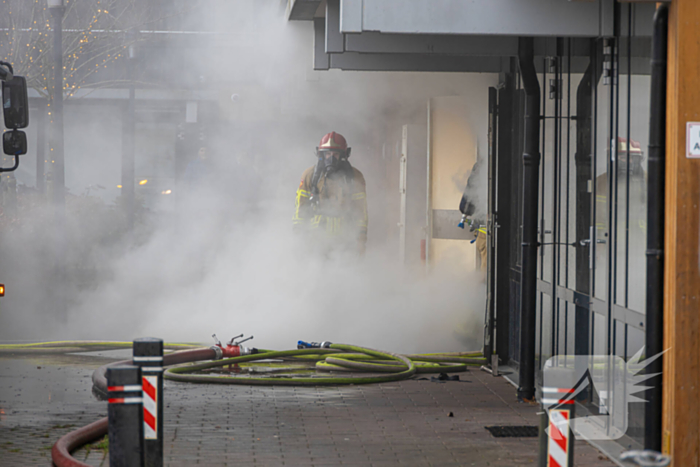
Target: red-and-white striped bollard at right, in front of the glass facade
559	405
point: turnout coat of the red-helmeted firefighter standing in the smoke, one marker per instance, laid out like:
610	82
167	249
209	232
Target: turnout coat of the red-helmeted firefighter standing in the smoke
340	213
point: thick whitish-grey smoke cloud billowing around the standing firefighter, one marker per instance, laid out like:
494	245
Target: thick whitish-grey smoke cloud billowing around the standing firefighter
218	255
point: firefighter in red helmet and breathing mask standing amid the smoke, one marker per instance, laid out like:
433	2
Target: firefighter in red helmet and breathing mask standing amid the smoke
331	203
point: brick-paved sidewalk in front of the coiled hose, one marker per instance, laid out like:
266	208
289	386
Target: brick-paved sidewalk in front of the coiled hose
406	423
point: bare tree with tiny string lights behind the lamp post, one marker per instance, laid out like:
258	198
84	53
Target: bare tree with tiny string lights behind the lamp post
97	35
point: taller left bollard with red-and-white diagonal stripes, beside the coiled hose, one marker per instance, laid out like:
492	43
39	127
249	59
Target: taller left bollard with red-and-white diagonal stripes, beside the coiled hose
148	354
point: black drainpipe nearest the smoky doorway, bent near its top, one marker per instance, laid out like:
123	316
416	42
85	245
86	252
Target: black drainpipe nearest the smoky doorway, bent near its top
531	162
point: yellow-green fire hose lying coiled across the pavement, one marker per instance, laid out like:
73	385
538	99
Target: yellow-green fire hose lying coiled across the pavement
282	368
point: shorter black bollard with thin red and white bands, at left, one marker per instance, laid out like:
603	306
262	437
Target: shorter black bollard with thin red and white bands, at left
125	416
